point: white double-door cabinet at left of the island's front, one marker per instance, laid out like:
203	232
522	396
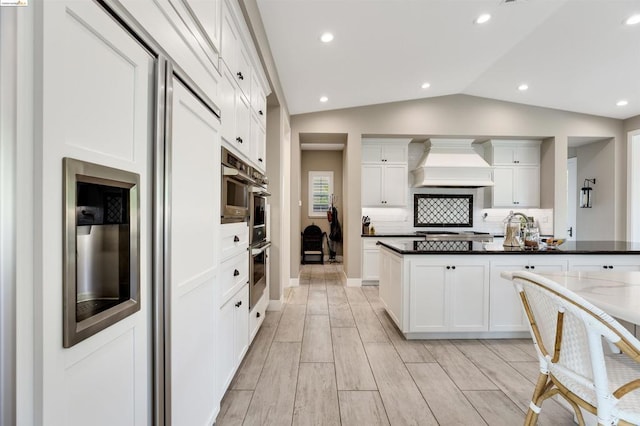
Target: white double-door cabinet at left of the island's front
448	295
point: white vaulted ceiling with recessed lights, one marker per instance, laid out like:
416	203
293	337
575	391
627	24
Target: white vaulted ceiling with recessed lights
575	55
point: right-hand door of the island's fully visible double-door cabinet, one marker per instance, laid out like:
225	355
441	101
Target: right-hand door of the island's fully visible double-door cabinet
469	293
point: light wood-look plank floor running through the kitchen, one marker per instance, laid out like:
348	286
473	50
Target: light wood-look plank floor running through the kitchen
333	356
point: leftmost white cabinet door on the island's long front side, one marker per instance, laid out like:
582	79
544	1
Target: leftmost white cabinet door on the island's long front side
428	299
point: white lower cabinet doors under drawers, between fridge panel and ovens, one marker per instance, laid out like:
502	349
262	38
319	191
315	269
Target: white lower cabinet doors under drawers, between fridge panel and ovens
233	332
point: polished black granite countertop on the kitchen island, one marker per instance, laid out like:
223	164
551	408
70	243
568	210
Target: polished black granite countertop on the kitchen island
473	247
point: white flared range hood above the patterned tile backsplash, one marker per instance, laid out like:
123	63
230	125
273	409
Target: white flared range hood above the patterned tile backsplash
452	163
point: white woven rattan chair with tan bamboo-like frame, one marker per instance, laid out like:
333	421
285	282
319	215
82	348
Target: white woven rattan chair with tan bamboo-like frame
569	335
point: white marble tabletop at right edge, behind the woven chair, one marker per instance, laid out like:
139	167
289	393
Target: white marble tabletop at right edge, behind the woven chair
616	293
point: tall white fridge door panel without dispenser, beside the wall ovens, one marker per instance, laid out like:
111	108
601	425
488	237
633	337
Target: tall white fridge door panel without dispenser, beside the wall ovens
195	157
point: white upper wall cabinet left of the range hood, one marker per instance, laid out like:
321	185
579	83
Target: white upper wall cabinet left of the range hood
384	172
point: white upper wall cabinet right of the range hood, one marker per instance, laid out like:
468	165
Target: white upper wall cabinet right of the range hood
516	173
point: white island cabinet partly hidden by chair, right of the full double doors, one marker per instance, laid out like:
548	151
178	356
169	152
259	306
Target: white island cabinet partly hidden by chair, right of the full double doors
506	312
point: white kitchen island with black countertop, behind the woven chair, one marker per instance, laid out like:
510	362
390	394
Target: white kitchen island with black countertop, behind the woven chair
453	289
